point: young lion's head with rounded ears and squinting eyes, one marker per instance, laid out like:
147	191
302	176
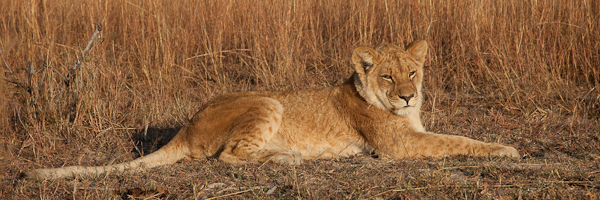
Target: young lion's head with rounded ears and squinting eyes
389	77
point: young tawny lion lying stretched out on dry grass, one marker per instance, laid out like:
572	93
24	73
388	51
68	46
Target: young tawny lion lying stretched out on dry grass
375	111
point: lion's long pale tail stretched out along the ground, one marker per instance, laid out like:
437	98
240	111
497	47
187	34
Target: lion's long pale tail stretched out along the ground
168	154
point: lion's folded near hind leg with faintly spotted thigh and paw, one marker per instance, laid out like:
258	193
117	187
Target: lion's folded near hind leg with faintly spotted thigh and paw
252	130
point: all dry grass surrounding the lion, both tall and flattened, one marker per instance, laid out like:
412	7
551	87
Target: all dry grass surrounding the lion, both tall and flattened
523	73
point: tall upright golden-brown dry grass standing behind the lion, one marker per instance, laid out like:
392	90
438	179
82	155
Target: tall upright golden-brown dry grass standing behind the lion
160	60
